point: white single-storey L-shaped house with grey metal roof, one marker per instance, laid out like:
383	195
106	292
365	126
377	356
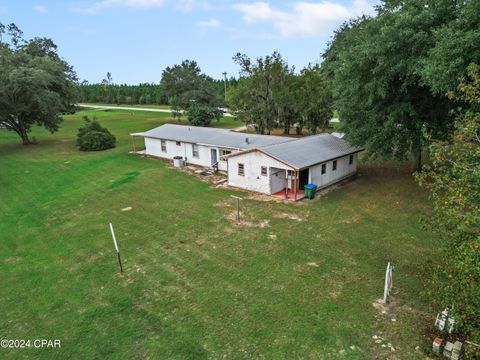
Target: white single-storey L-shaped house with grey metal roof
274	165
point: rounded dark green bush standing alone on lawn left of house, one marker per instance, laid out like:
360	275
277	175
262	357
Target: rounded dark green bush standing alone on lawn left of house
93	137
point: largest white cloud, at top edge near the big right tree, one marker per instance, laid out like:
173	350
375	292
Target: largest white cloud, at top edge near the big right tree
304	19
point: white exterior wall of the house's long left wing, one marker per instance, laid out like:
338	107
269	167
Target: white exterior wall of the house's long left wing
153	147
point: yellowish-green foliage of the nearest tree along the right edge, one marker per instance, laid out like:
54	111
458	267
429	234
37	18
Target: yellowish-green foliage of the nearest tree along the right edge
453	180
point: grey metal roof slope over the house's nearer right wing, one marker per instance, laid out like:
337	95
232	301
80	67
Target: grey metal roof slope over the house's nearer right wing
310	150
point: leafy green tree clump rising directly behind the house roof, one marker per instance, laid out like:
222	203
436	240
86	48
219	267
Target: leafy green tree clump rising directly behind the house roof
270	95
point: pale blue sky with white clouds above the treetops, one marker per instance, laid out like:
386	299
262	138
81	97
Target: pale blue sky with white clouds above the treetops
135	40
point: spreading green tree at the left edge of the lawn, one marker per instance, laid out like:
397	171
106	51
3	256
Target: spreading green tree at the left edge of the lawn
36	85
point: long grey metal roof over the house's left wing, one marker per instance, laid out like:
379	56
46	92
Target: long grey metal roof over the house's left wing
213	136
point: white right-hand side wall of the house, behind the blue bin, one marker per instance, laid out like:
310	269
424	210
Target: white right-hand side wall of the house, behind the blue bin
344	169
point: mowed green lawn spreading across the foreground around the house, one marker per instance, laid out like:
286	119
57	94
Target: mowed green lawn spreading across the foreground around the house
196	285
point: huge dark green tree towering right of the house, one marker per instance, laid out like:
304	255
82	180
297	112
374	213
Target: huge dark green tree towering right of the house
385	74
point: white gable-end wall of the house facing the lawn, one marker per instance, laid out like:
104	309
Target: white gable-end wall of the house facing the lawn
253	178
